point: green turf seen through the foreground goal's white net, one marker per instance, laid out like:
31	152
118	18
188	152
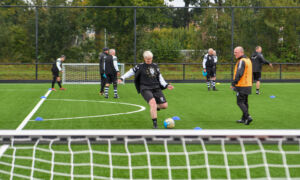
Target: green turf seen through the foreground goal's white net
159	162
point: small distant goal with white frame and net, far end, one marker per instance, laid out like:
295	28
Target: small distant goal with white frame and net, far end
83	73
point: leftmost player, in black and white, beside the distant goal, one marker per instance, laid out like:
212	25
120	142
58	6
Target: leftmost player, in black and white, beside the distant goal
56	68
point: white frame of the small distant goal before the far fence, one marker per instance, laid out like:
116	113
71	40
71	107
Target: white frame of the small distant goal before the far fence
95	80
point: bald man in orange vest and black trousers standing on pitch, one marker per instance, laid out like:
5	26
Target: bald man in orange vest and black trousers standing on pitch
242	83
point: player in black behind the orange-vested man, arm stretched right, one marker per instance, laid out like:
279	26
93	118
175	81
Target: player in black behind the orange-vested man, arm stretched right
257	61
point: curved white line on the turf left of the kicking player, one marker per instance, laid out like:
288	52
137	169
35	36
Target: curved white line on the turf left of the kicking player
142	108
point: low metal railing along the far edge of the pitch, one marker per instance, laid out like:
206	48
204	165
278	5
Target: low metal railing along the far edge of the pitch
189	72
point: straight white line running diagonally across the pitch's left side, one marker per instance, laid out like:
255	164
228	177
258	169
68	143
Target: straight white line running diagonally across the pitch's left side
4	147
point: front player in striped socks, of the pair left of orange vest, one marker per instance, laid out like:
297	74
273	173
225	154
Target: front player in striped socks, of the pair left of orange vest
209	66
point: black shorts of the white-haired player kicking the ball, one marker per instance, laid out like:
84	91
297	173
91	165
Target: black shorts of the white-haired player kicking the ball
157	94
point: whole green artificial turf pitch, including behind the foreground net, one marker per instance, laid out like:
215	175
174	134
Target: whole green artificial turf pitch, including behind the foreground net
191	102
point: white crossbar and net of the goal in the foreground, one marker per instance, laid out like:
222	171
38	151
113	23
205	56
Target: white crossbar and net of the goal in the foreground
30	139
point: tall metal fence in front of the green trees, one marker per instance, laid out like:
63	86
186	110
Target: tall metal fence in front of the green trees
42	33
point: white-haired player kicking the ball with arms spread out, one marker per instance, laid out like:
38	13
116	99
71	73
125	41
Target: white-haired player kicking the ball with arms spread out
150	83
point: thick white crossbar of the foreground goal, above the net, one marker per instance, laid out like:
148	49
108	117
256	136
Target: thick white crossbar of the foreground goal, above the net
152	135
